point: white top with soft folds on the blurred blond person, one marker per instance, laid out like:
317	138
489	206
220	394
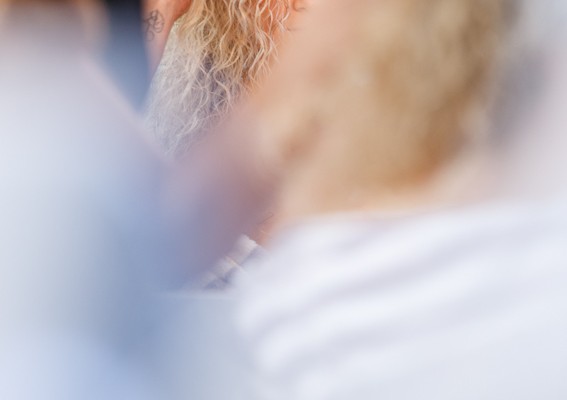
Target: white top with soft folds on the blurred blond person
467	303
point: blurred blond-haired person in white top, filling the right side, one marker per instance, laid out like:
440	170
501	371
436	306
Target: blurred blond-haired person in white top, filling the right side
424	250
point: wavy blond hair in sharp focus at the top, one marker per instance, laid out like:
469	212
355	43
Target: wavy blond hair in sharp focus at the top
216	53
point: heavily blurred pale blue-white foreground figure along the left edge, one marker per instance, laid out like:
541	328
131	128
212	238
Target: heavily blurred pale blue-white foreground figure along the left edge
80	232
